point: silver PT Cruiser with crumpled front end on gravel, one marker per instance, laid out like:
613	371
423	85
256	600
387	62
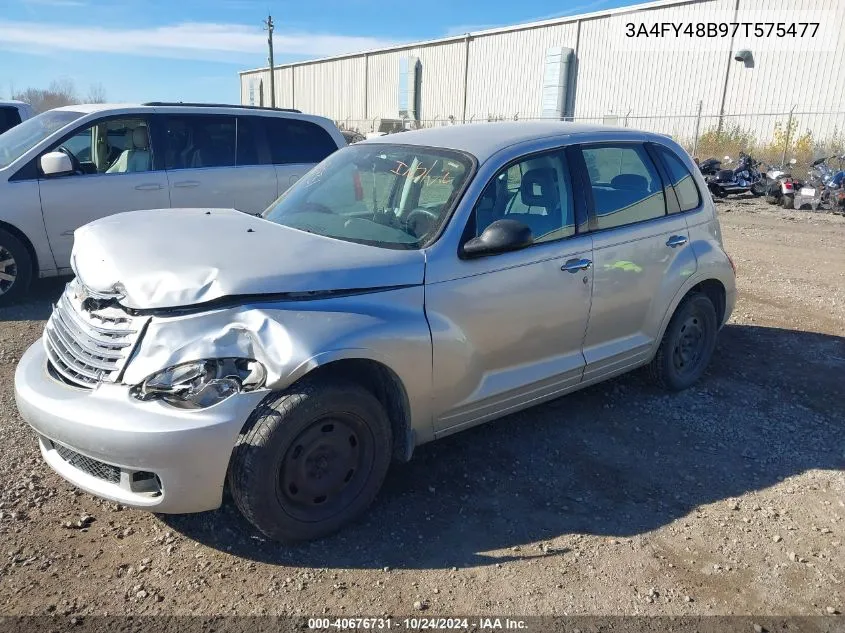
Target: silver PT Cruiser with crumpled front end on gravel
406	288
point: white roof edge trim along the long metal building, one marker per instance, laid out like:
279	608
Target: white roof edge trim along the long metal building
656	4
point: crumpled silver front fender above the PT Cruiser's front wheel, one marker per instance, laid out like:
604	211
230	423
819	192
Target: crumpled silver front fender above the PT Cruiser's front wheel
292	338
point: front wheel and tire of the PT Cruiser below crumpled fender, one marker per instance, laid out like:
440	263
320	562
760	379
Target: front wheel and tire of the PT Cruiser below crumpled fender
310	460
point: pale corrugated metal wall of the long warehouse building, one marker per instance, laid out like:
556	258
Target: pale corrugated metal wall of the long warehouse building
659	90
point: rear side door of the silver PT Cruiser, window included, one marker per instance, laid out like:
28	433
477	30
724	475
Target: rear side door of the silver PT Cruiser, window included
640	254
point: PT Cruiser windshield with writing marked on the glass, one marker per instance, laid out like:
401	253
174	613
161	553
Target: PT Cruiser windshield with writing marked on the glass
392	196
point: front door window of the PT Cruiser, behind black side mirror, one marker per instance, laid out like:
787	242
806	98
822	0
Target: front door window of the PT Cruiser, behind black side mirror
534	191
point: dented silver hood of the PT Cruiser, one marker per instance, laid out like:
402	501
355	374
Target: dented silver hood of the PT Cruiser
166	258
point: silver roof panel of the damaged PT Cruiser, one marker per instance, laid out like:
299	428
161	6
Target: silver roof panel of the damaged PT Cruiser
482	140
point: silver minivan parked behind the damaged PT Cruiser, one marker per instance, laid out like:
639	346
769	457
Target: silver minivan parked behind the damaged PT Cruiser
71	165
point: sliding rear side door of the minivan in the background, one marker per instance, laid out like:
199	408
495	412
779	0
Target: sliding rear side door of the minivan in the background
200	160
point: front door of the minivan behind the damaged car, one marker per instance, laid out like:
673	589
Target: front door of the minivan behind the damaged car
116	171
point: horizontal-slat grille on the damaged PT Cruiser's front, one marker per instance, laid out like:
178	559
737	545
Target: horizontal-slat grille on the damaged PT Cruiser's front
86	347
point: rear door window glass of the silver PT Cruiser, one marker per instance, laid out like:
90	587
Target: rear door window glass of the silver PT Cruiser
625	183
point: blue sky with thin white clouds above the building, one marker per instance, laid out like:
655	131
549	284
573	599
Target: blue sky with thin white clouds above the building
191	50
